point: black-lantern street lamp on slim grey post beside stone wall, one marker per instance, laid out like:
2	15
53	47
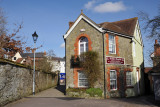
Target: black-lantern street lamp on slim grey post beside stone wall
35	37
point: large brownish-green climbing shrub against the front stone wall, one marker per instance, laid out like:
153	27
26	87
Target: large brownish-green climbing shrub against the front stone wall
91	66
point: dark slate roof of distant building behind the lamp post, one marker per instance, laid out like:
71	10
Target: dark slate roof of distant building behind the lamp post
31	55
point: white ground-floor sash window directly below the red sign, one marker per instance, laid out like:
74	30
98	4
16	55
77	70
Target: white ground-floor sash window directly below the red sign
113	80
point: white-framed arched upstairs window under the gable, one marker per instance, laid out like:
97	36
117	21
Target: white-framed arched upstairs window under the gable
83	45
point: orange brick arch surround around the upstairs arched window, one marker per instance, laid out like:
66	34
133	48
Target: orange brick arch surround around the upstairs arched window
76	44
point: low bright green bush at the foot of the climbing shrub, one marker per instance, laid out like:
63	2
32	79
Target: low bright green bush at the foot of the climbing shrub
94	91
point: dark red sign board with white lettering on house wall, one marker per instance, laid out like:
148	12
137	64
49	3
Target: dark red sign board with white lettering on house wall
114	60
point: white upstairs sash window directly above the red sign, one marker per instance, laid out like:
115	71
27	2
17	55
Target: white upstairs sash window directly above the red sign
112	46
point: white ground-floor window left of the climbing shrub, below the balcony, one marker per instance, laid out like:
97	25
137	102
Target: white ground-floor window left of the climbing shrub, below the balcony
82	79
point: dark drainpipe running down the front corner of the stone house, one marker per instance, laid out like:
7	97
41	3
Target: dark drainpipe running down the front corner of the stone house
104	65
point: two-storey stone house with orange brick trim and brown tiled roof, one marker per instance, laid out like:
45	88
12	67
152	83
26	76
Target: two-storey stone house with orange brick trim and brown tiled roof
120	48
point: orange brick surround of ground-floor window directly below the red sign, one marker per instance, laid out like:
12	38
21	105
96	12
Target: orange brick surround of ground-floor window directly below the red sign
108	77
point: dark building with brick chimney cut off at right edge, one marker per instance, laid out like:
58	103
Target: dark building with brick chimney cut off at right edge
154	72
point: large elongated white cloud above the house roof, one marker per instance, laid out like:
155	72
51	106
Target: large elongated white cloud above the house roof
110	7
